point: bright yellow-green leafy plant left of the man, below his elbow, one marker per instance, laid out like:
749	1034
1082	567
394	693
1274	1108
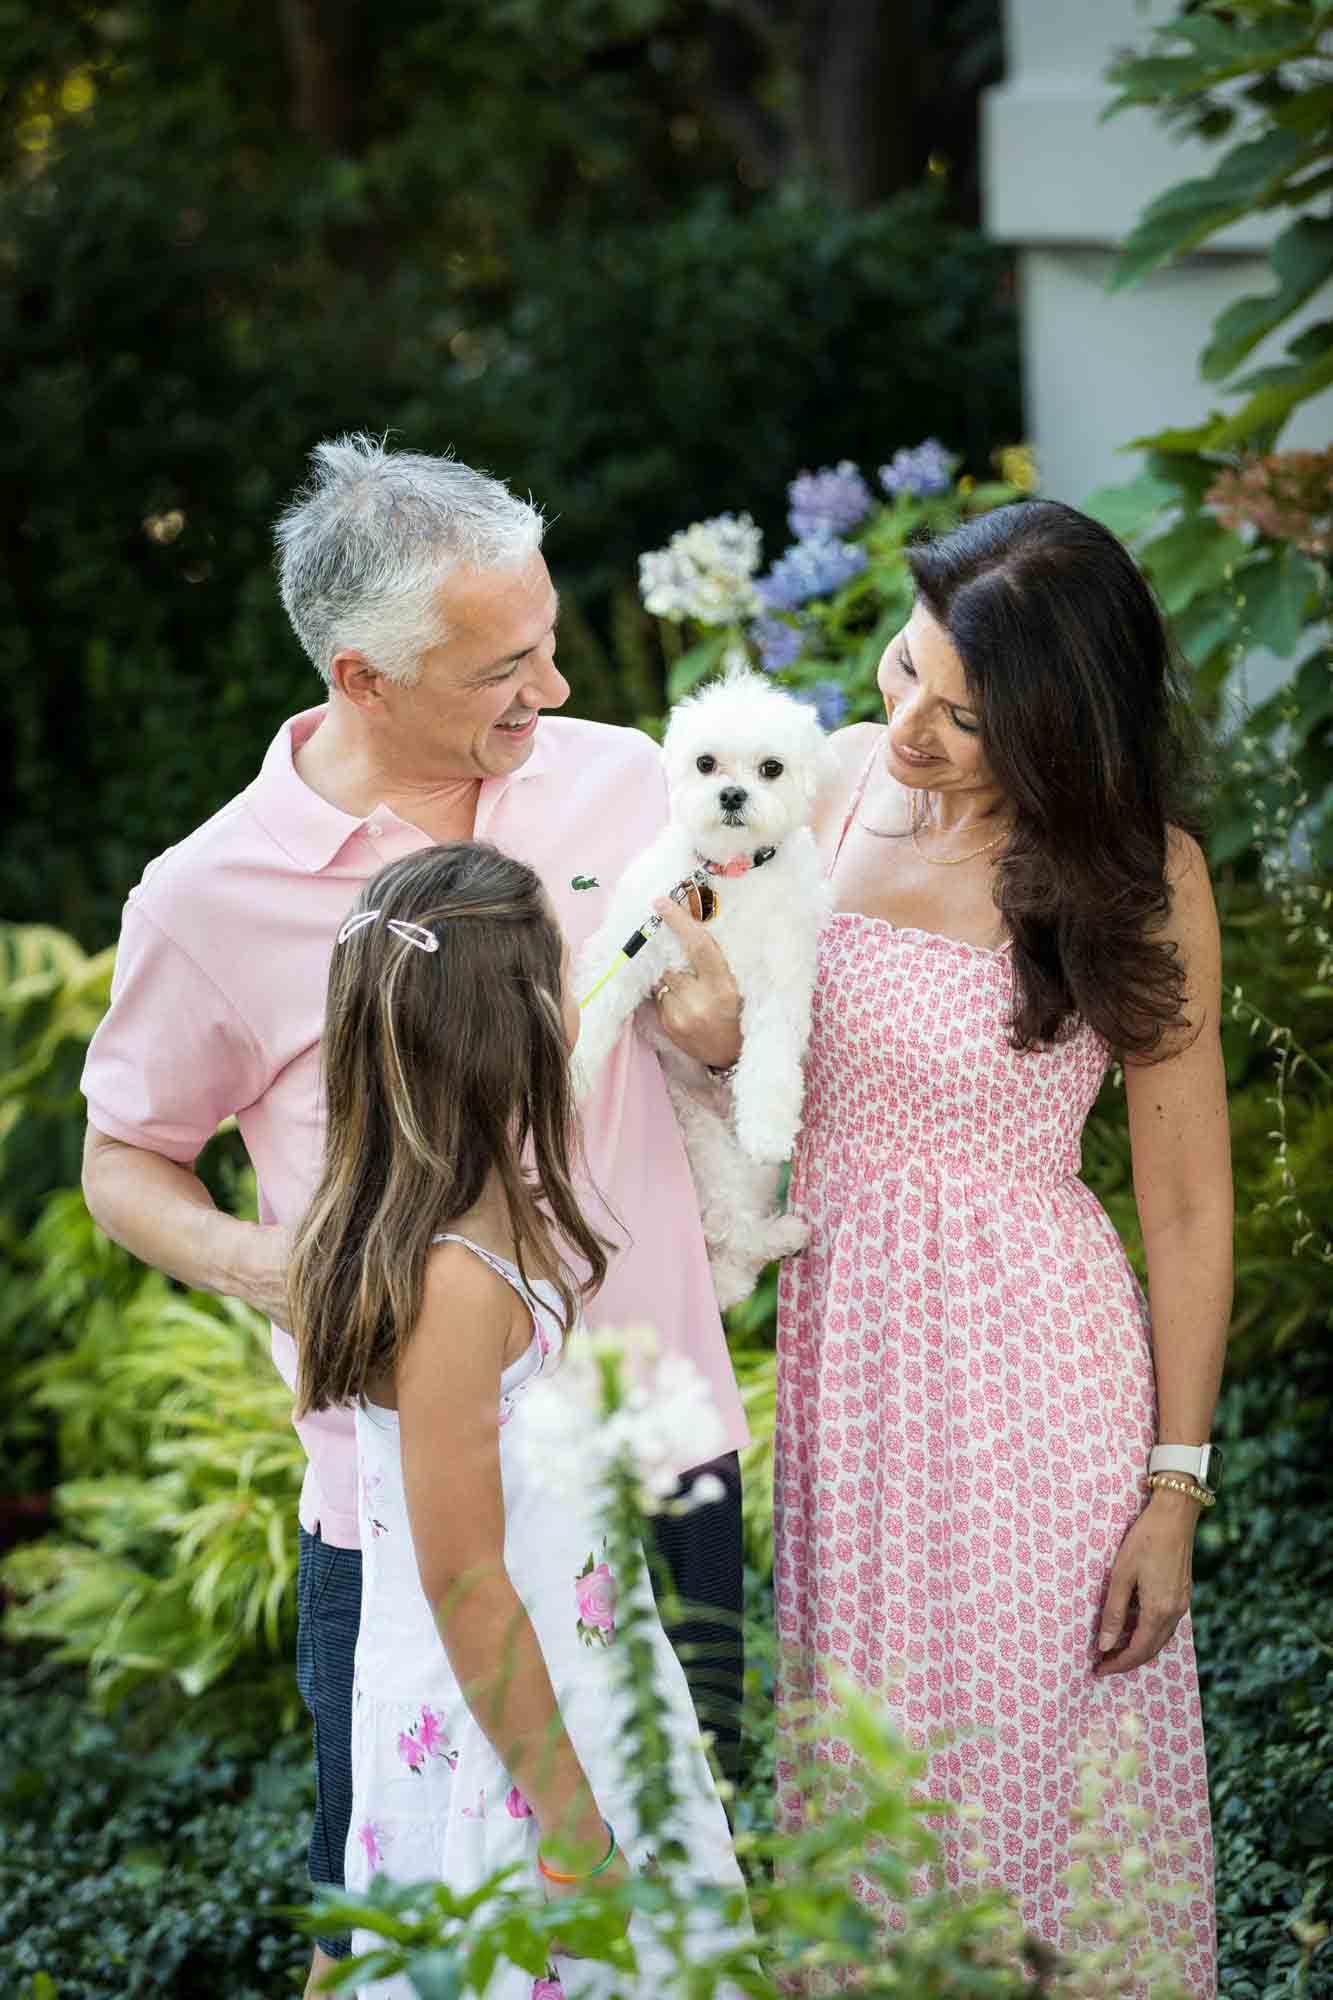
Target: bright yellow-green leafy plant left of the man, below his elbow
175	1555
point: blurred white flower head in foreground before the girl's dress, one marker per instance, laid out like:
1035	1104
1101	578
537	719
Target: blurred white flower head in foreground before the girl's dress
665	1419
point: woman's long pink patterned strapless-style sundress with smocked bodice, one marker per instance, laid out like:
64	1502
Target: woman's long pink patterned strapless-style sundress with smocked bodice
966	1411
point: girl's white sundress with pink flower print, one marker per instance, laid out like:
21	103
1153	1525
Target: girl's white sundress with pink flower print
429	1795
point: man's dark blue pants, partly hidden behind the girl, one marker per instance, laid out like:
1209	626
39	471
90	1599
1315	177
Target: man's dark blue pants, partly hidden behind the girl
702	1557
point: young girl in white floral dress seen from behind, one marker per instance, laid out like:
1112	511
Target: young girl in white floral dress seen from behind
427	1287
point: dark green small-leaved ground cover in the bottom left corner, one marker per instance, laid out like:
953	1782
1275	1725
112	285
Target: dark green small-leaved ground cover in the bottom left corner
141	1855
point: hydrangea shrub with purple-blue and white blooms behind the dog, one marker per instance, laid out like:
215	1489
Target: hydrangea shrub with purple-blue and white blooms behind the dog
826	609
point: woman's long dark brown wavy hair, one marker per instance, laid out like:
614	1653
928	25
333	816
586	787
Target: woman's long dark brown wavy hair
1084	725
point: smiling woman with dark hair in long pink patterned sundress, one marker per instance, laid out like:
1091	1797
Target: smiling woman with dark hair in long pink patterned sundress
992	1449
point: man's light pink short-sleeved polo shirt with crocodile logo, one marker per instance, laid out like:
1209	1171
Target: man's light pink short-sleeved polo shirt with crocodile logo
219	999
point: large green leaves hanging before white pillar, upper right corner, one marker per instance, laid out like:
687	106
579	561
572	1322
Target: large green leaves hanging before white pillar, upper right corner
1254	75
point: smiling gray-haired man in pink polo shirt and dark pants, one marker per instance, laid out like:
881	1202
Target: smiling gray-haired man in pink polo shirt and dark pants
419	591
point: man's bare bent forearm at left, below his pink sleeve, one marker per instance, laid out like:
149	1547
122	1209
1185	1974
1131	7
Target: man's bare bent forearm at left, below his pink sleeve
165	1217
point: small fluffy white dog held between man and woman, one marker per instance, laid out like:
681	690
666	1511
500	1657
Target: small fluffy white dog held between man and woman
746	765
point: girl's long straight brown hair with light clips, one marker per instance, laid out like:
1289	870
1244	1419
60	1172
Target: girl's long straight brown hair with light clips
439	1069
